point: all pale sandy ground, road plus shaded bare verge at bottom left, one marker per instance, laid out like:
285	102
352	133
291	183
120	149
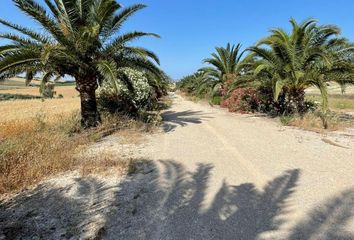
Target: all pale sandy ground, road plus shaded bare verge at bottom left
208	174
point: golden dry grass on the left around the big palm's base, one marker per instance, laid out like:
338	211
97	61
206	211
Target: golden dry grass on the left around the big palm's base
32	149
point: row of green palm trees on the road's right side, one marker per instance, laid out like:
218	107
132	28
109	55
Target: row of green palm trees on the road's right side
284	63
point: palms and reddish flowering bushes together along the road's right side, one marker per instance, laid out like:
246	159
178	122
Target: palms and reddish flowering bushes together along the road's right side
273	76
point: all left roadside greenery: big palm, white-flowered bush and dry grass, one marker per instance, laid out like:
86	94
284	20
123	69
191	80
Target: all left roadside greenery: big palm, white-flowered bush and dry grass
117	86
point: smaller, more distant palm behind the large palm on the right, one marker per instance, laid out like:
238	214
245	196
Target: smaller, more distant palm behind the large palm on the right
225	65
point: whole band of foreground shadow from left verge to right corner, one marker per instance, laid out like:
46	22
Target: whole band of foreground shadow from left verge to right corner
168	204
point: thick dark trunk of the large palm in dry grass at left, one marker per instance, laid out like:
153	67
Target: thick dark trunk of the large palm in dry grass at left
90	116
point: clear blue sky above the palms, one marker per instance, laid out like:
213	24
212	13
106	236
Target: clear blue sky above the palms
190	29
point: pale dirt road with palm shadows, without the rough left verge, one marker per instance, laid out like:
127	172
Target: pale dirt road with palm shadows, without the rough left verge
232	176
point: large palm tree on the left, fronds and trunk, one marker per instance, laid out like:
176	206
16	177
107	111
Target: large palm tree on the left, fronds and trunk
81	39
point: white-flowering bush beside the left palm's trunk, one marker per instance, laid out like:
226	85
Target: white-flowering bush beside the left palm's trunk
115	95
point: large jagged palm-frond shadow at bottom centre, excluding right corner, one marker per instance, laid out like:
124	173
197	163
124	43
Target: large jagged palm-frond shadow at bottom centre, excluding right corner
172	209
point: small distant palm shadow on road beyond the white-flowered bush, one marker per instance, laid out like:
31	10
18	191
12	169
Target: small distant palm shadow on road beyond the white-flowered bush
173	119
